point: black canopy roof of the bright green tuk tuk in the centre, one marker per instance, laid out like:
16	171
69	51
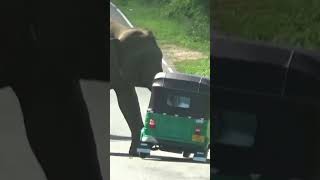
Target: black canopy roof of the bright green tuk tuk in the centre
182	82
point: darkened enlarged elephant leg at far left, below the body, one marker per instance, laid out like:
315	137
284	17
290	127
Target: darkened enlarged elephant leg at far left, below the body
58	129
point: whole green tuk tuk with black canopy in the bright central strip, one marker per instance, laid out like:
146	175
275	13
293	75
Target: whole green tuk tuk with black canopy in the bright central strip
178	116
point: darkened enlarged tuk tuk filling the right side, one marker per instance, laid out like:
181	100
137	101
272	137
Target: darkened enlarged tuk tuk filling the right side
265	110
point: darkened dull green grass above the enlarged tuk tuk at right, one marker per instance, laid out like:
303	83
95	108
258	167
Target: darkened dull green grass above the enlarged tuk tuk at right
286	22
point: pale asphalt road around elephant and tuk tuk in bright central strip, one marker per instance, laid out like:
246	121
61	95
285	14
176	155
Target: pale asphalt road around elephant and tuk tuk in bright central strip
161	165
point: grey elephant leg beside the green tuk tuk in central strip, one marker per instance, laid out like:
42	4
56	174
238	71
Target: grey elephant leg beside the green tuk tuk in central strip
129	106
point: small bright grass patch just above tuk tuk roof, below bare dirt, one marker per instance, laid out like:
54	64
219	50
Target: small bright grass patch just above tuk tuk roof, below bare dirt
199	67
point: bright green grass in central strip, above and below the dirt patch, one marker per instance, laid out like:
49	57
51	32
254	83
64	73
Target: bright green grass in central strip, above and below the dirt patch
167	31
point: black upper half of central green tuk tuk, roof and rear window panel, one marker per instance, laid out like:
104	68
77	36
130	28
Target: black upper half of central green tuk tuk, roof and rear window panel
193	90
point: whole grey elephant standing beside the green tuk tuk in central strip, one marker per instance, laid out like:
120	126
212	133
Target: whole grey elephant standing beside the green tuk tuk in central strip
135	58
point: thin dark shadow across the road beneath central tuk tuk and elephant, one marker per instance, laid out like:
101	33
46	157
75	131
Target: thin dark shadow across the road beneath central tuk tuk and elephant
160	158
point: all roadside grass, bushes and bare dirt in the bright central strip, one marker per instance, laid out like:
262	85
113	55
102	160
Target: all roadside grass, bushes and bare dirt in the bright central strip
181	27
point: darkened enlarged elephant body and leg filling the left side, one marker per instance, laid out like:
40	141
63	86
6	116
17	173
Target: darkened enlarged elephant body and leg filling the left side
44	48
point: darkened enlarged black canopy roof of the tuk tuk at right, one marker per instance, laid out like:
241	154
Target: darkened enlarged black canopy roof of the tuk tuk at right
263	68
